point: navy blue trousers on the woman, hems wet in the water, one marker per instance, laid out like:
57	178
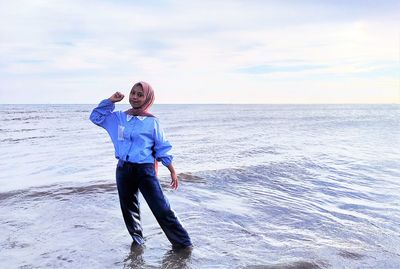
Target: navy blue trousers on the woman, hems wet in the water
132	178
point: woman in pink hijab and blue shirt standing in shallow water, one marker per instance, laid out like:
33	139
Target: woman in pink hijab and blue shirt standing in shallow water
139	142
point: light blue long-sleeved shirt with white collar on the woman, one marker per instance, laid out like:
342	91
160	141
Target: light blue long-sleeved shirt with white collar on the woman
136	139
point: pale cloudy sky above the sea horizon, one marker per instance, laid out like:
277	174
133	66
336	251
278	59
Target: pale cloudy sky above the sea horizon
201	51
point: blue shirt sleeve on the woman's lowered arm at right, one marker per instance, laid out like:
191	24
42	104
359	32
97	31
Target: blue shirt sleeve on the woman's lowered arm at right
162	147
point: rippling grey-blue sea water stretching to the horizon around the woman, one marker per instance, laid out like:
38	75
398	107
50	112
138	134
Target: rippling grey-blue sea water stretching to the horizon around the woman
262	186
